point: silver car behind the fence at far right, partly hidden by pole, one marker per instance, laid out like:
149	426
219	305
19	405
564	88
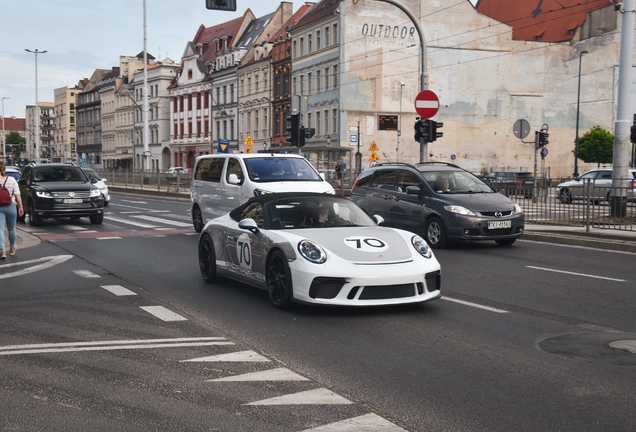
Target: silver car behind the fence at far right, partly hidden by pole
595	185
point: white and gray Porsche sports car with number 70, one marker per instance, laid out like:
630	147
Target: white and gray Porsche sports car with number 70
318	248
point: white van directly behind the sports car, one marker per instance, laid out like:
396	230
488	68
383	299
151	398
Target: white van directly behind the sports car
221	182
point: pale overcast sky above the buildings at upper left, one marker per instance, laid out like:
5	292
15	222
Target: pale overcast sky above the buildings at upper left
83	35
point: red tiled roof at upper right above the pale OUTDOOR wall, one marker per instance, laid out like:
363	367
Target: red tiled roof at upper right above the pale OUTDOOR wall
544	20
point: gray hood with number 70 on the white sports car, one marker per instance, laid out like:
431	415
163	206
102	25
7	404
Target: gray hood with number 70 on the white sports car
361	245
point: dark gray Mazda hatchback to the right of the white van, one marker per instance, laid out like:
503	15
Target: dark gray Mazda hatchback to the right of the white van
444	201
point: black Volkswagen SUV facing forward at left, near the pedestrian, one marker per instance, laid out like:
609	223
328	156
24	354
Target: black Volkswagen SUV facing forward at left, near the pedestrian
59	190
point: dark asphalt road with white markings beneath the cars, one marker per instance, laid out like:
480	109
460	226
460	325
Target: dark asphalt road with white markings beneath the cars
138	341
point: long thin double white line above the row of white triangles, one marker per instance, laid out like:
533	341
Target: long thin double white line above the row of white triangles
112	345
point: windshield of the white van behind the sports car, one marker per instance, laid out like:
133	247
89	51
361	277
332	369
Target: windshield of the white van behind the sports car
271	169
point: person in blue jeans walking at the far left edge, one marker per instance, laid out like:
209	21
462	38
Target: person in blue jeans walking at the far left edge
9	197
